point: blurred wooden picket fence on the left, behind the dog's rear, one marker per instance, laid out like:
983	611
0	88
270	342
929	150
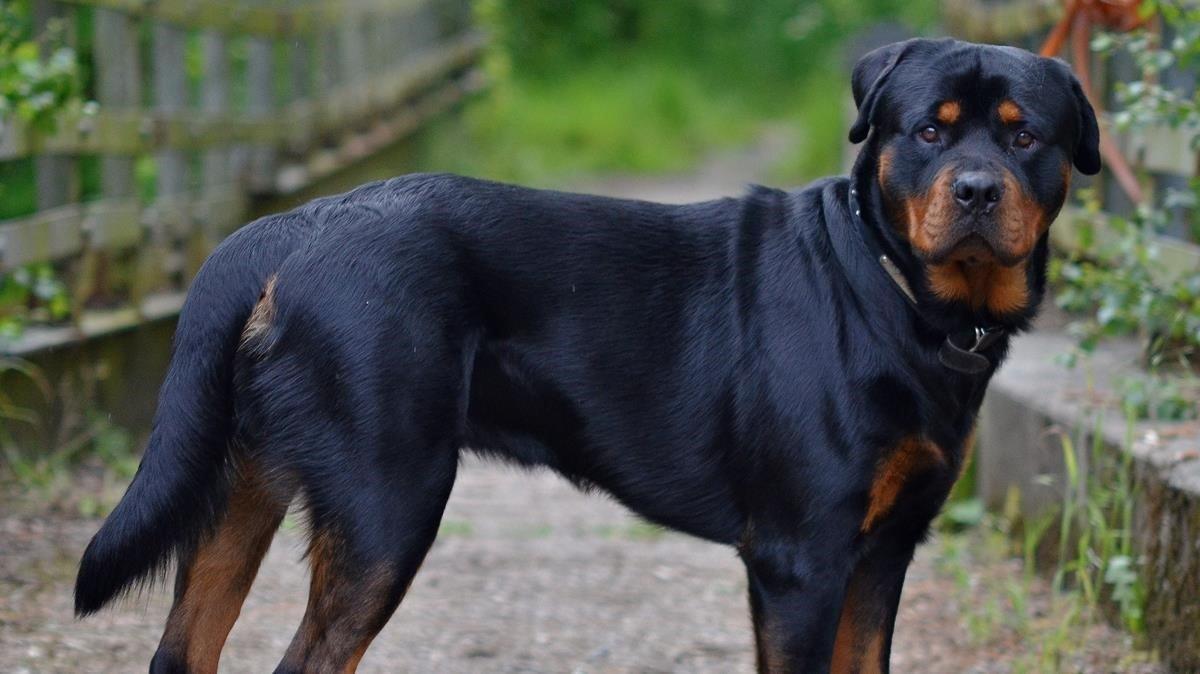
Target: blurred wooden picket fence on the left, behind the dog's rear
203	106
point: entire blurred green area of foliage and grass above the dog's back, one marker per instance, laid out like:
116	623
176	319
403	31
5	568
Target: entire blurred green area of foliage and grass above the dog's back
589	87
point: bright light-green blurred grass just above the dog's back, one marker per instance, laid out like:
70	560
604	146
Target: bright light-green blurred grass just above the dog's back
633	116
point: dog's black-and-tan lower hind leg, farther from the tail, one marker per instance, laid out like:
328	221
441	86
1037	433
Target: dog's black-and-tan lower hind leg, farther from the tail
365	559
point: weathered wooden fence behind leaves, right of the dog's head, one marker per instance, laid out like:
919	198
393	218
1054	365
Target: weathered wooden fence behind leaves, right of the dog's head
1168	158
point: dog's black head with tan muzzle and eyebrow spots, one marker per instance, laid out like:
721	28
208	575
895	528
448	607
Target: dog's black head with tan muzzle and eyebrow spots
974	148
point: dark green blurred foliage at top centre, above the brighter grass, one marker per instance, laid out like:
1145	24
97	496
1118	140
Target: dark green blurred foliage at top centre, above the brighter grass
747	45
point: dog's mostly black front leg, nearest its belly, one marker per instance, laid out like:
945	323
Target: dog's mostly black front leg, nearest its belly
797	589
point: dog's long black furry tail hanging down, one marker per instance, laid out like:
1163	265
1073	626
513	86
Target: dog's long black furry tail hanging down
182	486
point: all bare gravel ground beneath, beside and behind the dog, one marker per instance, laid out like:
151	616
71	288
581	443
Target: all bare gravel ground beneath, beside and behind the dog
529	576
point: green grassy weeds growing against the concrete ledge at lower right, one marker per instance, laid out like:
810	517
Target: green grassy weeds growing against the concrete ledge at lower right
1095	565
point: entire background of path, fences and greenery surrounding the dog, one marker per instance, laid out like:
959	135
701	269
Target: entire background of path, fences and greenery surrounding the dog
136	135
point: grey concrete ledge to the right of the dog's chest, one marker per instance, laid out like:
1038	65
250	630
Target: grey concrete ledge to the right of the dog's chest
1033	401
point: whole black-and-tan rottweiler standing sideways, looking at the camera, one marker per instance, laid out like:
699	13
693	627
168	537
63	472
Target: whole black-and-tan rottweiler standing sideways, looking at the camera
794	374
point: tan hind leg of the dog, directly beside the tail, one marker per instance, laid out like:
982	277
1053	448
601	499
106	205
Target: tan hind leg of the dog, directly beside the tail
214	580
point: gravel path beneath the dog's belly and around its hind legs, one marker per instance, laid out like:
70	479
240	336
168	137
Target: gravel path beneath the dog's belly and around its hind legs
529	575
